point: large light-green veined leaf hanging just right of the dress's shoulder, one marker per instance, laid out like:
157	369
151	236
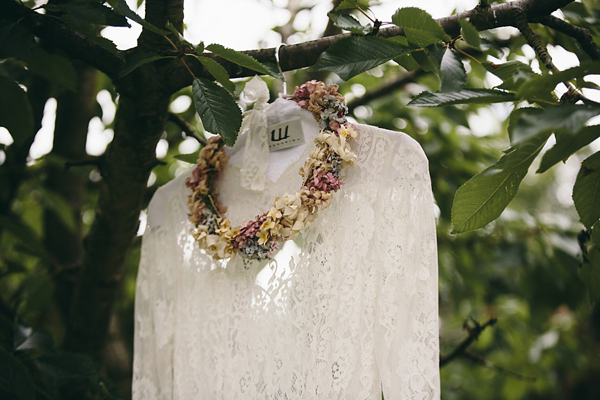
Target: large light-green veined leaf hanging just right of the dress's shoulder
483	197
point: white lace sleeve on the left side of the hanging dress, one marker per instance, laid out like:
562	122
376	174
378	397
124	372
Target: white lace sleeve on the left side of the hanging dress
154	310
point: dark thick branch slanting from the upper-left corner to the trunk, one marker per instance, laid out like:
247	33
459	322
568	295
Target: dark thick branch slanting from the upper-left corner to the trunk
73	43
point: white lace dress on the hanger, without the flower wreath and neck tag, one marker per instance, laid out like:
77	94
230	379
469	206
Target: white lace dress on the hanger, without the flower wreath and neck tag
346	311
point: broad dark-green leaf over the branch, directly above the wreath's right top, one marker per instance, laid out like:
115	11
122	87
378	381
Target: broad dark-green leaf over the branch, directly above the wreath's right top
353	55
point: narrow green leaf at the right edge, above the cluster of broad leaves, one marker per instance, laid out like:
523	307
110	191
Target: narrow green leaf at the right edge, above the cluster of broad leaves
543	85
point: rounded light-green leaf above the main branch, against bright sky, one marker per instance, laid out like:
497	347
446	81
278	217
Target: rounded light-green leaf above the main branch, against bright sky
419	27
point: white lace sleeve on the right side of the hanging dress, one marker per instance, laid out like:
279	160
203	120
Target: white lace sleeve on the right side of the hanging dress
408	352
